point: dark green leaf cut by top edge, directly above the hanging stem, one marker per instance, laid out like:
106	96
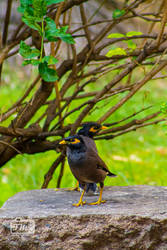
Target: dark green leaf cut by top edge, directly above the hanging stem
40	8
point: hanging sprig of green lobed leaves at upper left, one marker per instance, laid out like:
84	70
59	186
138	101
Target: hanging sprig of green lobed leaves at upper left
34	15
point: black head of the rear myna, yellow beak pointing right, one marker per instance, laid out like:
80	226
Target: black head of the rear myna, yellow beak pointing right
90	129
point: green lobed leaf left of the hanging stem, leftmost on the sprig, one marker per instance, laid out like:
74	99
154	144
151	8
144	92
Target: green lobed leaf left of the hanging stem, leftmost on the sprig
27	52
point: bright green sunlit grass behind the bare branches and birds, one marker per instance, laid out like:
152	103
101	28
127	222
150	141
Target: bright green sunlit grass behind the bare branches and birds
138	158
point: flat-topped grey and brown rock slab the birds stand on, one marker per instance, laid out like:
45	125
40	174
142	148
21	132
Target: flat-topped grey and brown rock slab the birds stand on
133	217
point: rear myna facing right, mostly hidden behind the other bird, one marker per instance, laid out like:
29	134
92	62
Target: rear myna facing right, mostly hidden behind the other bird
89	130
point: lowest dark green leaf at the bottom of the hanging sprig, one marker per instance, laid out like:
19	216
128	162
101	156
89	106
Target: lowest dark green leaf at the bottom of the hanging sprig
47	74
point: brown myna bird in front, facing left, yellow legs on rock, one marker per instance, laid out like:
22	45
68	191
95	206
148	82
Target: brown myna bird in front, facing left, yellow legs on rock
86	165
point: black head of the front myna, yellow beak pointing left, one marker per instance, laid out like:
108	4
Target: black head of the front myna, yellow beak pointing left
74	141
